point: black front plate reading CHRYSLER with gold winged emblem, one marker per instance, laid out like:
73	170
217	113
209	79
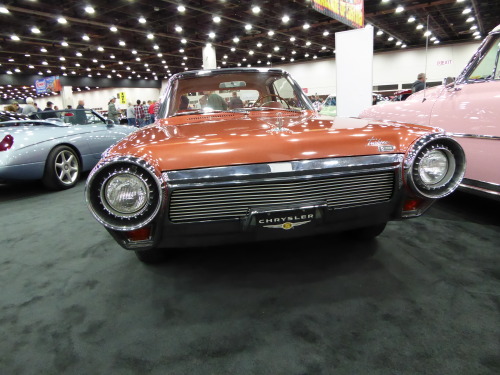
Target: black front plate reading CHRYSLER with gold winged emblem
284	218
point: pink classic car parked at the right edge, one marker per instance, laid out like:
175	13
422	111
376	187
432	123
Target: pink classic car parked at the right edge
467	109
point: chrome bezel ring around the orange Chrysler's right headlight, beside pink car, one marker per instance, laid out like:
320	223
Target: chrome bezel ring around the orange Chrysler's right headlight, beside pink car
455	166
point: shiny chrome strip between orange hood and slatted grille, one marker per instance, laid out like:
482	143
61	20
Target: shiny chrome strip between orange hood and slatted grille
270	169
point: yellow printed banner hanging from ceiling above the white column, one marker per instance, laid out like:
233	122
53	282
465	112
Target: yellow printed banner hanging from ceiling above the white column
350	12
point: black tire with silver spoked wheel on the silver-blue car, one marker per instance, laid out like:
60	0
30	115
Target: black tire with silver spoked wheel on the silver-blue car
62	168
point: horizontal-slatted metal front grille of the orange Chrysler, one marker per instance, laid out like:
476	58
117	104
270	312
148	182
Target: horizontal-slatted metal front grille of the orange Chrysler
192	204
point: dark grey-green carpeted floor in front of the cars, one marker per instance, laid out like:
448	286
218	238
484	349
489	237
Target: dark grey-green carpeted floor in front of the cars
421	299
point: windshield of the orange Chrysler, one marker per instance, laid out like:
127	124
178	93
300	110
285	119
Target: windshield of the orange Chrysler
232	90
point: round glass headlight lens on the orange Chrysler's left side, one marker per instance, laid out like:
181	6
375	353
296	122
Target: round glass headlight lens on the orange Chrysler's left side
126	194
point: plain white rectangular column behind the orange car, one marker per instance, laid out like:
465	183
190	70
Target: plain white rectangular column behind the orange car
354	57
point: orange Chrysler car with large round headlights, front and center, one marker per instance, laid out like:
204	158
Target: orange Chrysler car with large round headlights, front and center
209	172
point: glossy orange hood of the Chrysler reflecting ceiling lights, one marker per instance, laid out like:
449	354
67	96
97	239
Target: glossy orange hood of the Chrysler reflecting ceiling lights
209	140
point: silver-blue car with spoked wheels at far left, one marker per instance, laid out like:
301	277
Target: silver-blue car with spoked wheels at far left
54	146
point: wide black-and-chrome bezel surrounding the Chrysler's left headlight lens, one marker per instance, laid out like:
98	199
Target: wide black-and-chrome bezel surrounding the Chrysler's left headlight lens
103	211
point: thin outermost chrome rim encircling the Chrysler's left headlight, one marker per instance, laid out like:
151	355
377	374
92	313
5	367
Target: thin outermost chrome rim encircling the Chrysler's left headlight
132	160
